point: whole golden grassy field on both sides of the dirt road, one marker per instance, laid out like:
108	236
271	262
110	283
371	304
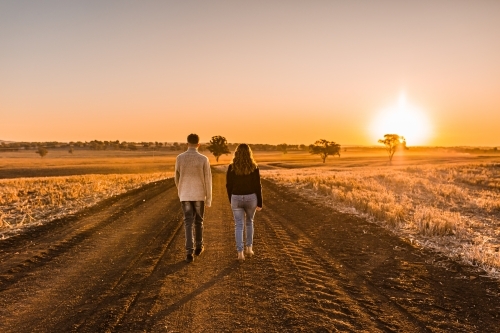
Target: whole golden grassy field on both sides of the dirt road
435	198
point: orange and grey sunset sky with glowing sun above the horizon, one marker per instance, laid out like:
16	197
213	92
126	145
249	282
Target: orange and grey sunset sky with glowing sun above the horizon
252	71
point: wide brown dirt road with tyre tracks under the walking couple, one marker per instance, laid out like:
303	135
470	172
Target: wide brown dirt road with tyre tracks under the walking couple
119	267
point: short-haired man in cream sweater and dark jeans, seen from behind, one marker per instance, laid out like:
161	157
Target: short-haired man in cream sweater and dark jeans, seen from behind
193	179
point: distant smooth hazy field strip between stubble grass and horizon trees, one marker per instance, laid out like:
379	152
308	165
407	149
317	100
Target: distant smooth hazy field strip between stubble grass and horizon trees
59	162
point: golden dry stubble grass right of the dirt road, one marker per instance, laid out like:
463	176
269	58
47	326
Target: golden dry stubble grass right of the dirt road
452	209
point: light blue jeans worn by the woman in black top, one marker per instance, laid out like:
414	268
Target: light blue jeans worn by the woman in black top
243	207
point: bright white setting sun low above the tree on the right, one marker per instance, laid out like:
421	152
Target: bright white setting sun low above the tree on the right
405	120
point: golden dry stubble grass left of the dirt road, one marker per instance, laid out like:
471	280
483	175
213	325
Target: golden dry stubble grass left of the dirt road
27	201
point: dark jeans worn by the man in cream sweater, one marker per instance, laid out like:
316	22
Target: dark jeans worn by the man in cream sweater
193	217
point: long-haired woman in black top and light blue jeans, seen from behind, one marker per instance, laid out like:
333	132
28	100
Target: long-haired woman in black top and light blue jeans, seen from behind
245	195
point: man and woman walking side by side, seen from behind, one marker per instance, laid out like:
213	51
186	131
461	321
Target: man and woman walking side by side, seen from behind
193	179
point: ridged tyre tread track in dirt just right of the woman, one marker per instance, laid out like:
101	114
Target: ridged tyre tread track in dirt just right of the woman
334	298
